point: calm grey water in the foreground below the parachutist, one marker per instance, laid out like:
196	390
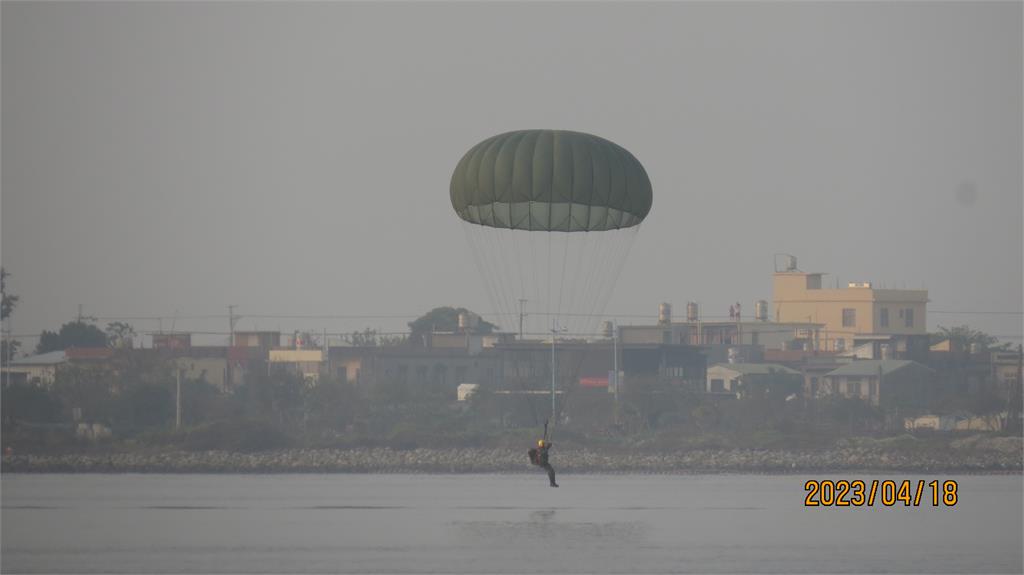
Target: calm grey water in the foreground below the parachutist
495	524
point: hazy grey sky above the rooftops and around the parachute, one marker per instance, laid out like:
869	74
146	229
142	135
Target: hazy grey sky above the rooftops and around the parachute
295	159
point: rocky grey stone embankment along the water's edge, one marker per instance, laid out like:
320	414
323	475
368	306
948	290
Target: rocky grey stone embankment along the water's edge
467	461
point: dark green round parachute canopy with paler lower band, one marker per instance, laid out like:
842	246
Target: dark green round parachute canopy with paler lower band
550	181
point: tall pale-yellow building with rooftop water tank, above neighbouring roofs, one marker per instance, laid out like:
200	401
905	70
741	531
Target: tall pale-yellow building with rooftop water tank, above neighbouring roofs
852	315
